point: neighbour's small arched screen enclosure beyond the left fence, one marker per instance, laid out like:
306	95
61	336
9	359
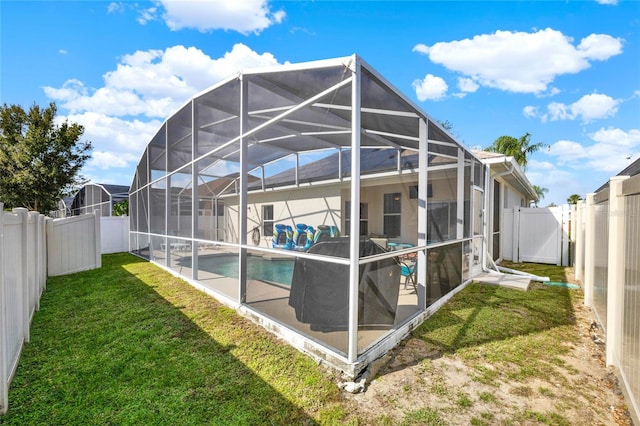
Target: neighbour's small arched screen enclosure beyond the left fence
100	197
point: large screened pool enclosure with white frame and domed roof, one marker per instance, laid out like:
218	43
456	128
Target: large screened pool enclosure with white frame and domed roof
317	200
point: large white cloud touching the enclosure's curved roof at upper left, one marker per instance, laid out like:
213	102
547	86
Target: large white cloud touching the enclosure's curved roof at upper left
154	83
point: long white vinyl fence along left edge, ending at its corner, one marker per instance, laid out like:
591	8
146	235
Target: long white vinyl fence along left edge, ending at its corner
33	247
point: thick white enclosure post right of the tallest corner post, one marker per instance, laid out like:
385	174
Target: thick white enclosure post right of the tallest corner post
423	184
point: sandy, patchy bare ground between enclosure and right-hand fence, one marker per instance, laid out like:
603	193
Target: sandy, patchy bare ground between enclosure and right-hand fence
481	383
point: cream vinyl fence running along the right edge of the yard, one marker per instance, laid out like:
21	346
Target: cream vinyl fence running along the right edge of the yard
608	262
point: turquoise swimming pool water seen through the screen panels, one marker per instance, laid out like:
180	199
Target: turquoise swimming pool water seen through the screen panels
258	268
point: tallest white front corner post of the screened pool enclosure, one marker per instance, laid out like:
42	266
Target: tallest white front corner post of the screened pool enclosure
354	231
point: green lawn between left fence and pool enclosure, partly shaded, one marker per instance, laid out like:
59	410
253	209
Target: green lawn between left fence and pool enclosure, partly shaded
130	344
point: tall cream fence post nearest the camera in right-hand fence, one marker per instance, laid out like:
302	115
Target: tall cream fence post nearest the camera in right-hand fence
616	273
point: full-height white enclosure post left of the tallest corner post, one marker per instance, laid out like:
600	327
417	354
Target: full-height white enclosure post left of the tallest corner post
242	226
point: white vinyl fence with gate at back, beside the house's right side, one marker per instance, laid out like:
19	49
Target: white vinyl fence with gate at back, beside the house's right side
538	235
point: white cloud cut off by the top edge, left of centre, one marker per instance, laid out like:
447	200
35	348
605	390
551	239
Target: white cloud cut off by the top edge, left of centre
245	17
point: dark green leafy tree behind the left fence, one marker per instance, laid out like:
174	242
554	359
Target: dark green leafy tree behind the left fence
40	160
